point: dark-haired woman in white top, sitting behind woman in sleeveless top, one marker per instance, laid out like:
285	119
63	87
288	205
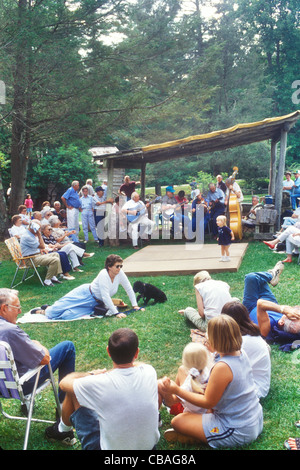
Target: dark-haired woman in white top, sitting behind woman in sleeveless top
256	348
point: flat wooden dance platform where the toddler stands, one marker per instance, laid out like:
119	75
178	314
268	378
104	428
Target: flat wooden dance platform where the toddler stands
157	260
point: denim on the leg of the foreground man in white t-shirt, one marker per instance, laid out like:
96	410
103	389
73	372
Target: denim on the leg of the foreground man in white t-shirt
86	423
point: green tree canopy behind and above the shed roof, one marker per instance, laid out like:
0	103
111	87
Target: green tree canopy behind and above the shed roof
89	73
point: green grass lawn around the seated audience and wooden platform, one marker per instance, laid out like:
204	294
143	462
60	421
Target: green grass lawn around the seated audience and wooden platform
163	333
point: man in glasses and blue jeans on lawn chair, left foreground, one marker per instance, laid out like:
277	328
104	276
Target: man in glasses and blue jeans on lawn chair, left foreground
29	353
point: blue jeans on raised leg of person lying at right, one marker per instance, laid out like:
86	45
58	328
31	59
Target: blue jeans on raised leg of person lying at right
257	287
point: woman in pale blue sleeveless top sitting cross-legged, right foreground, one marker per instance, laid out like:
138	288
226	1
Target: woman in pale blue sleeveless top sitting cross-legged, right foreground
237	417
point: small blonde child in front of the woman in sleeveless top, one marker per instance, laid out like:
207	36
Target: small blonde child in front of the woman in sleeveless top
196	356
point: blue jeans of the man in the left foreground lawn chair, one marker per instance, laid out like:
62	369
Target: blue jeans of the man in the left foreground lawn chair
62	358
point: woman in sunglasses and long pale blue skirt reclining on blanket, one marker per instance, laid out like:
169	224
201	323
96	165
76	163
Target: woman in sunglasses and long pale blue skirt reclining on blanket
82	300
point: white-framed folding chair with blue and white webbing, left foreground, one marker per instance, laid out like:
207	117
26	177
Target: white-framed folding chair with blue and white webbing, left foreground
11	387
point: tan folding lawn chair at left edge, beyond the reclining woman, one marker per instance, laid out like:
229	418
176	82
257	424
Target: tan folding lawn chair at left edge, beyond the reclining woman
23	262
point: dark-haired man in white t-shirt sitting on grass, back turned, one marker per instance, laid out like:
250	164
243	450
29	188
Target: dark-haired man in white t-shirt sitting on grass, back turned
114	409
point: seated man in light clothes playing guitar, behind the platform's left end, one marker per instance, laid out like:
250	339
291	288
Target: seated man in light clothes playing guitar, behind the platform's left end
137	216
